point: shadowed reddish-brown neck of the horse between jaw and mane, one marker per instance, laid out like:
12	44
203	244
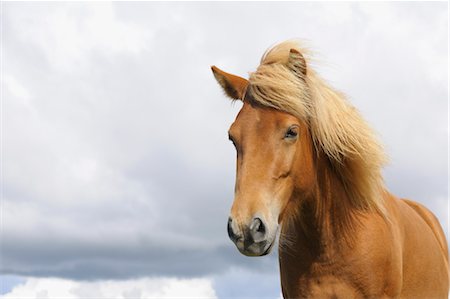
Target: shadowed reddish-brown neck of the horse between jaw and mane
325	217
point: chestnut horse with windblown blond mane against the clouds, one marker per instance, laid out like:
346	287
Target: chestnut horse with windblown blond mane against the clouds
309	171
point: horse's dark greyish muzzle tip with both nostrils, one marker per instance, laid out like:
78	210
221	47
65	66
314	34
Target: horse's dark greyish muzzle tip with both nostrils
252	239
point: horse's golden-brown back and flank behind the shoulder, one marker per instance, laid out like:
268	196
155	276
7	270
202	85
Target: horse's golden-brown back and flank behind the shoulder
425	268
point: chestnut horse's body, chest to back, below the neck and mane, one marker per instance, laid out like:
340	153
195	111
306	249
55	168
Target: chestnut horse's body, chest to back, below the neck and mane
401	258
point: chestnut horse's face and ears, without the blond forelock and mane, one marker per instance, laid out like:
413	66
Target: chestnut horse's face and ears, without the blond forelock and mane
274	161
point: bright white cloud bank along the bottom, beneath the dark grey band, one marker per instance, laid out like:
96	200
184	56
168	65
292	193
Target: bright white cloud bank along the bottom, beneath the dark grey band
43	288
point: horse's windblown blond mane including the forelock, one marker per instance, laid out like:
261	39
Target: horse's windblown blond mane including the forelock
336	127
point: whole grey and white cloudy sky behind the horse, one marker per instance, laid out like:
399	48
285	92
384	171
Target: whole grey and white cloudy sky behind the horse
117	172
